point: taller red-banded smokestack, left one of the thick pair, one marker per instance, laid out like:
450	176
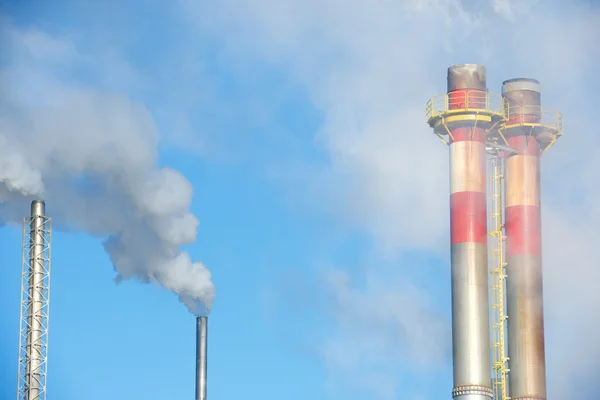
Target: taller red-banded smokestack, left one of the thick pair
468	226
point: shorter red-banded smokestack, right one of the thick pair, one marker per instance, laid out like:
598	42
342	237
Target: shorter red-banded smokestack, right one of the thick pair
527	360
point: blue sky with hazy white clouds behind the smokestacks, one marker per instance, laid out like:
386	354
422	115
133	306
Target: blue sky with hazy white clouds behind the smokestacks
320	192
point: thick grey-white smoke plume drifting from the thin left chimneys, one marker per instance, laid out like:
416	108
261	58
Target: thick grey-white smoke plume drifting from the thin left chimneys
93	157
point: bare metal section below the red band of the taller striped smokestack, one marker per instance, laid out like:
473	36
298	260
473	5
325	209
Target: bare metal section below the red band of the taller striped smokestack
470	316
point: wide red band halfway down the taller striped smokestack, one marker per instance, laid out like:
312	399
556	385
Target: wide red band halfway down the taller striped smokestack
468	218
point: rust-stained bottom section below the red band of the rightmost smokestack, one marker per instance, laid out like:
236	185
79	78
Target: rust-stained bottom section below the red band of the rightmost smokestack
526	327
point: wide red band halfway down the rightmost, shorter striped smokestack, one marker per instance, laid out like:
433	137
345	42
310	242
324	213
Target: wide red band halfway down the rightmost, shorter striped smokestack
523	230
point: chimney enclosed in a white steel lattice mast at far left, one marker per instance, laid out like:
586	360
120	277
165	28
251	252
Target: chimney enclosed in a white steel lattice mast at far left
35	298
